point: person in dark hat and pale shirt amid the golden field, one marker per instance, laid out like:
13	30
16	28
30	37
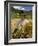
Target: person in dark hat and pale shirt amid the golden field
21	23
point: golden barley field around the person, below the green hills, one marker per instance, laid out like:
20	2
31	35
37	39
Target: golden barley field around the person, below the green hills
25	31
